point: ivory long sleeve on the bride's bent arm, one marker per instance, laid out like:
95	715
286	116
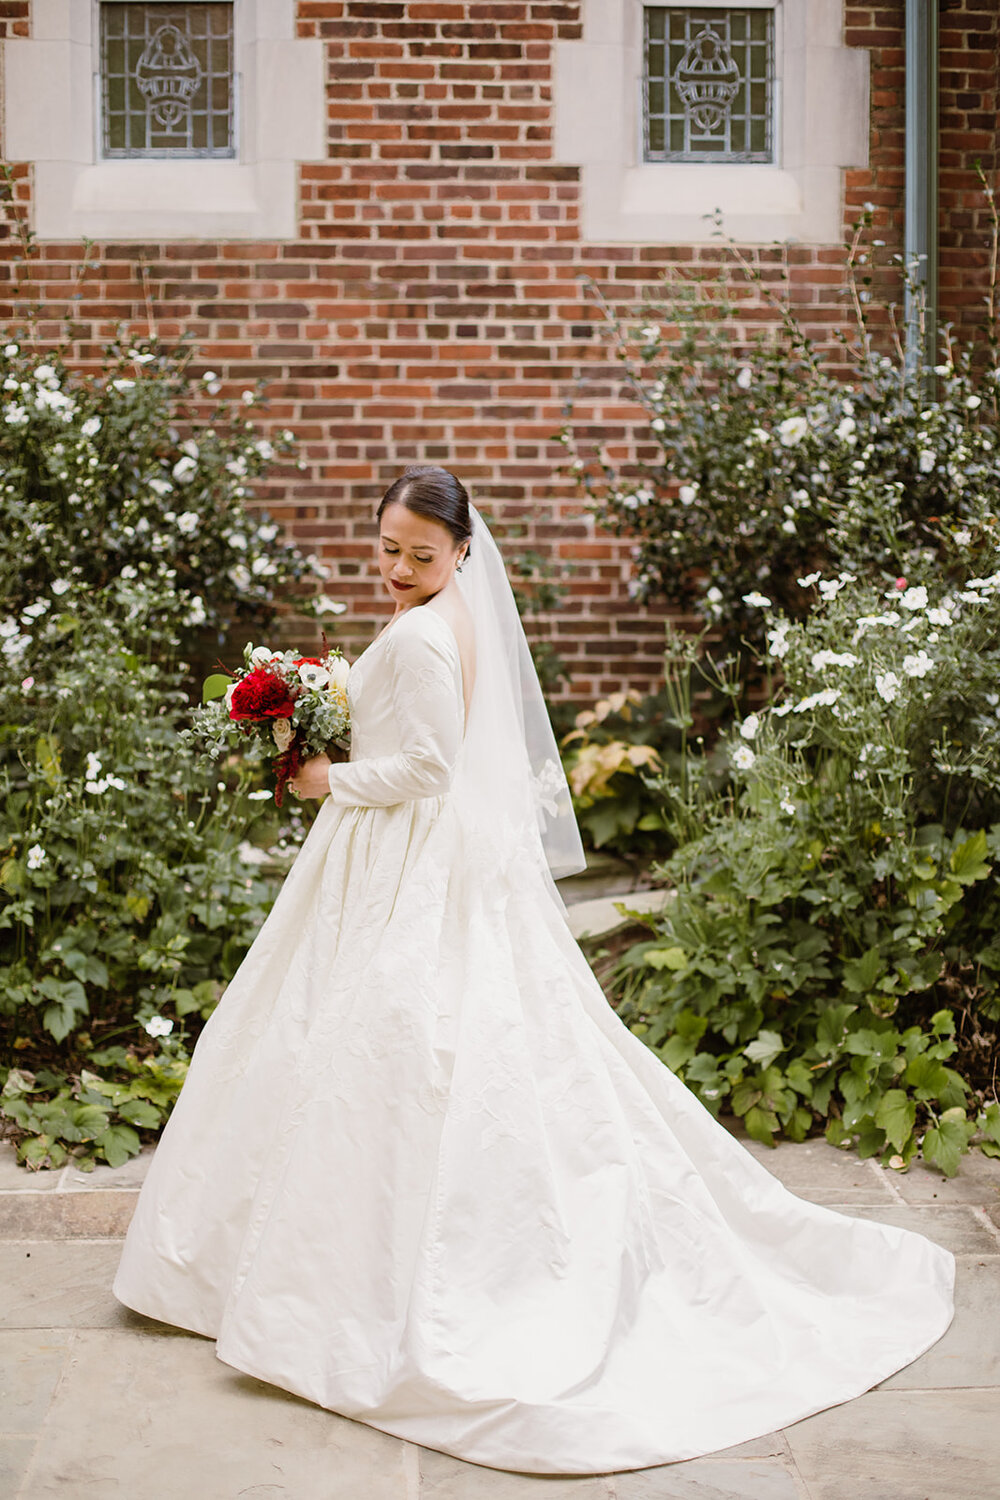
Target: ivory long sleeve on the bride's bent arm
430	715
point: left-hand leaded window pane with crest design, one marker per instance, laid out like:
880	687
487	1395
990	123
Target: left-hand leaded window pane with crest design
167	80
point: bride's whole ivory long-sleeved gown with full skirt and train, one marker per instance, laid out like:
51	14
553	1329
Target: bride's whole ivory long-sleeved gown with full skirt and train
422	1175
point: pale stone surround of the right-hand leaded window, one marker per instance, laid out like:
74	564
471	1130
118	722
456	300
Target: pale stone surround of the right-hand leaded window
822	116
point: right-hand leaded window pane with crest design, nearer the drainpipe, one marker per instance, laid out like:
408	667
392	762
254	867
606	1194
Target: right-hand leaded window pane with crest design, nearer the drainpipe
708	85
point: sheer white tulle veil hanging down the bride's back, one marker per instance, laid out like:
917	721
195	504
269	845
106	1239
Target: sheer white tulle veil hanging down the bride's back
509	784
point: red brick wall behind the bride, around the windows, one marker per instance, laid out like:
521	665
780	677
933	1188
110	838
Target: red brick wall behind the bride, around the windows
433	307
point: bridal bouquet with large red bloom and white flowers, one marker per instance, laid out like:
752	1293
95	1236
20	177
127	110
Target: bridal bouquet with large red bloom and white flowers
292	707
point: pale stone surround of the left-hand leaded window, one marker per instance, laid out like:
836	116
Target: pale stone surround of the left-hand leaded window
52	121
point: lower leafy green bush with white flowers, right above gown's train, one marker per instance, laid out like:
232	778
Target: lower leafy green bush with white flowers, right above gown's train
831	949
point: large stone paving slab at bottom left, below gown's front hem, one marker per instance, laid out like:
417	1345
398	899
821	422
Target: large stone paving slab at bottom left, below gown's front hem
139	1417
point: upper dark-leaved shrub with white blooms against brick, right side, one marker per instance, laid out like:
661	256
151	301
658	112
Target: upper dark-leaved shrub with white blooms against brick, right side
762	461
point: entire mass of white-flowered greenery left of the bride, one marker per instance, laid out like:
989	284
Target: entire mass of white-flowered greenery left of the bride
128	889
